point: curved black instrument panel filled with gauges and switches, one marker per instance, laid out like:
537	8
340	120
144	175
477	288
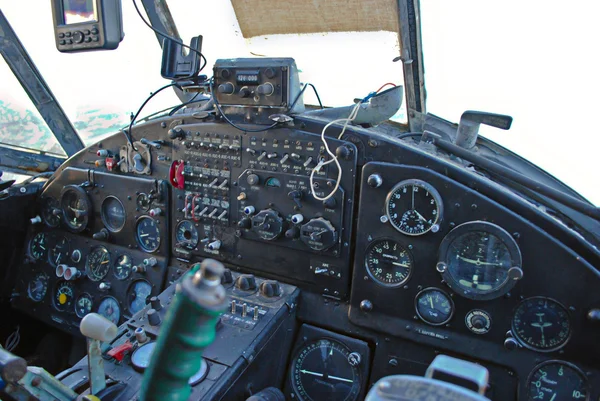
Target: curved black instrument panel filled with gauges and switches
434	266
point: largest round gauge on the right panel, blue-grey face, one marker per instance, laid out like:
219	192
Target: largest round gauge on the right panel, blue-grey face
480	260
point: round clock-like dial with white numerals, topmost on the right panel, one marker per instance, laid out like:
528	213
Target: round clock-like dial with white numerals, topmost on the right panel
414	207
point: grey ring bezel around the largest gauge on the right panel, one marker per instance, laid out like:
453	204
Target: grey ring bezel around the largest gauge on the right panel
490	228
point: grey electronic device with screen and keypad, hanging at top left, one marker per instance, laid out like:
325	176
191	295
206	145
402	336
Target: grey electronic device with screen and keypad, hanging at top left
84	25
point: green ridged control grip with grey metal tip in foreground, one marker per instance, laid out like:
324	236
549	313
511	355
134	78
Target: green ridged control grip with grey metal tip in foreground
188	328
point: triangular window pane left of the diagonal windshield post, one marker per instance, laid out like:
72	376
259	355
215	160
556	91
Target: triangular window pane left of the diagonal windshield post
21	124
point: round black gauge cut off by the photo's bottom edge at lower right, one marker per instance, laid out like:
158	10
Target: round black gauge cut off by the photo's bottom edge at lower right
557	380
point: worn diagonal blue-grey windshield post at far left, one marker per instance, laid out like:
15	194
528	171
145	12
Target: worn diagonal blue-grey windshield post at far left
38	91
